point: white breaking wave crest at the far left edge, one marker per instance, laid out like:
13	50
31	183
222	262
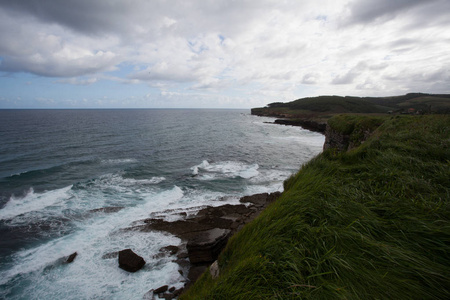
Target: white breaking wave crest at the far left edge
34	202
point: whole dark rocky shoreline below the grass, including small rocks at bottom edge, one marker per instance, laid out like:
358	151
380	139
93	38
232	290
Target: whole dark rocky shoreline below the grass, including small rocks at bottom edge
203	236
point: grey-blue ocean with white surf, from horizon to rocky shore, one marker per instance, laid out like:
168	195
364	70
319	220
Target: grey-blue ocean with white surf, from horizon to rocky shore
59	167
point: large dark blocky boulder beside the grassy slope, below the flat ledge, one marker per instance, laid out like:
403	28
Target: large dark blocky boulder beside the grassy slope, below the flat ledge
205	246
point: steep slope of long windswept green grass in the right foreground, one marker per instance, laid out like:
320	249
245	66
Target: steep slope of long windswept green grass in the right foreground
371	223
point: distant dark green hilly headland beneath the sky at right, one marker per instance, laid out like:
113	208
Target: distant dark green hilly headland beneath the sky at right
325	106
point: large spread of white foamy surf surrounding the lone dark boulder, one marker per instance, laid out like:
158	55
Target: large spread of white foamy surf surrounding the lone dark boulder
94	238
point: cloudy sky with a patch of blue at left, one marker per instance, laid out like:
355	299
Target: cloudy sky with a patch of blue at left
218	53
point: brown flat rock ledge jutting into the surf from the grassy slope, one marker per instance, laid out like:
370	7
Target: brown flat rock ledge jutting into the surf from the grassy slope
206	233
